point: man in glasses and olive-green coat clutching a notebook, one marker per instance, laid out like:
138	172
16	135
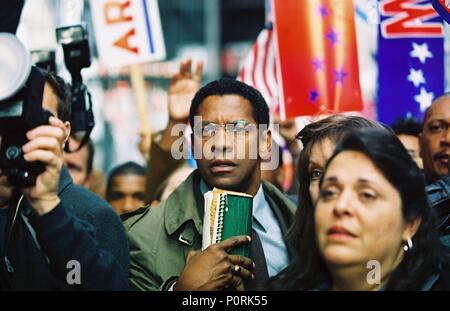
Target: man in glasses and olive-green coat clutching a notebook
231	120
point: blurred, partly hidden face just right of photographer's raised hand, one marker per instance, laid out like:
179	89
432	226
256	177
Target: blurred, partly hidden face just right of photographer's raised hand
77	163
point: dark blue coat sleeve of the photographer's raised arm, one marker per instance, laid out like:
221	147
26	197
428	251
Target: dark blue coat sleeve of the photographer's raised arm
69	244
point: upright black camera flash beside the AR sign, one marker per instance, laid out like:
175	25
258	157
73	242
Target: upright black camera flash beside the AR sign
75	44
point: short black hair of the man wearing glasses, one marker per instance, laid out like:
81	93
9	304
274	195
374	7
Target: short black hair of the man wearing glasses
232	87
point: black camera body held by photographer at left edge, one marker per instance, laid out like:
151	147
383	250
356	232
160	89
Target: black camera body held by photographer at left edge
19	114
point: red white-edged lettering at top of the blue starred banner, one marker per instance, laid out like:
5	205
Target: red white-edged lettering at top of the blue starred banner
408	19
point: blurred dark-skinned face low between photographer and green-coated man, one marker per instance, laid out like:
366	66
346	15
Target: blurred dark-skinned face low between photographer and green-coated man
126	193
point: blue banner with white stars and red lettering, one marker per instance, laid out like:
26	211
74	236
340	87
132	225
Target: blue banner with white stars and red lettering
410	59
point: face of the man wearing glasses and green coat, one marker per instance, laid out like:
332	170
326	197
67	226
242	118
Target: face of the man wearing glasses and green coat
229	158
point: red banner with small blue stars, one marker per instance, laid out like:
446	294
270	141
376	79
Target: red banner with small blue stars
317	61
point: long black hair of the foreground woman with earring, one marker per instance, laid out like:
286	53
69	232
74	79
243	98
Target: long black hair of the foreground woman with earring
425	259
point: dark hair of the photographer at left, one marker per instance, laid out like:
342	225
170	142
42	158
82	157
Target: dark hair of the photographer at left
63	94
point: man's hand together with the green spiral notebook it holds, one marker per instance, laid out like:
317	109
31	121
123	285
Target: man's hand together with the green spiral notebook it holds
223	262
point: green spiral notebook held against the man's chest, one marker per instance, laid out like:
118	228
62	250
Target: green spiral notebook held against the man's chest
227	214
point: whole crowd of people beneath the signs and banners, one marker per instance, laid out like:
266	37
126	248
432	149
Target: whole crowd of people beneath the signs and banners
365	192
